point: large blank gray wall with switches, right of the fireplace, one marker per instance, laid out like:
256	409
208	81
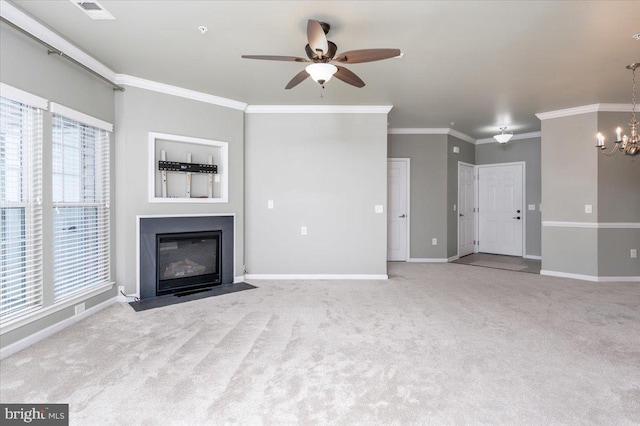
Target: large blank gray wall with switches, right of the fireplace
323	171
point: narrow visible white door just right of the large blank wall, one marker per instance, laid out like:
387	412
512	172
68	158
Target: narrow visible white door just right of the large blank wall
397	211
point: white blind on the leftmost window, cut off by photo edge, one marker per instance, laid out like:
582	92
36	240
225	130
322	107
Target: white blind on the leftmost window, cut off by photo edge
20	208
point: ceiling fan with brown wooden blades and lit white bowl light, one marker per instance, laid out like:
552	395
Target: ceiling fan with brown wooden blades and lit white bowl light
322	55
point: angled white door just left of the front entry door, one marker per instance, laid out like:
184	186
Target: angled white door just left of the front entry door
466	202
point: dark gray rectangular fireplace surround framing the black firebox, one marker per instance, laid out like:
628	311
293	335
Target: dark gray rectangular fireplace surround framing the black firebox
184	253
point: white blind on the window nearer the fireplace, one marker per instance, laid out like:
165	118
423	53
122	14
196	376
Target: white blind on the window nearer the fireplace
81	224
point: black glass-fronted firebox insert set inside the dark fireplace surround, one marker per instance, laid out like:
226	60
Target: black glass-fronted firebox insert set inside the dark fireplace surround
187	261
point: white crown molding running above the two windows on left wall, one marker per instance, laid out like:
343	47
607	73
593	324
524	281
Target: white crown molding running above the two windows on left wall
14	15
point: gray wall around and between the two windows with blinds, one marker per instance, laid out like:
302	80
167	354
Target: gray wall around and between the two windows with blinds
24	64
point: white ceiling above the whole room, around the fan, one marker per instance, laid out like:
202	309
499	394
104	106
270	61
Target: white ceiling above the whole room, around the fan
480	64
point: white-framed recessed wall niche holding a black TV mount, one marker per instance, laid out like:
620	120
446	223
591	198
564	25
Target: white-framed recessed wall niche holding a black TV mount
195	181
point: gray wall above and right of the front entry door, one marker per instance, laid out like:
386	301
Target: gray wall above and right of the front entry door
527	150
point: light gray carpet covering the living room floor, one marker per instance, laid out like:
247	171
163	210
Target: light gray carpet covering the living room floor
435	344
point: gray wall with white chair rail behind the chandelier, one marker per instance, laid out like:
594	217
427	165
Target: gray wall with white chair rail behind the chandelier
575	174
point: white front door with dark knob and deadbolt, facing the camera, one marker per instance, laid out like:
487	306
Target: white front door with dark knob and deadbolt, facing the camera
500	214
